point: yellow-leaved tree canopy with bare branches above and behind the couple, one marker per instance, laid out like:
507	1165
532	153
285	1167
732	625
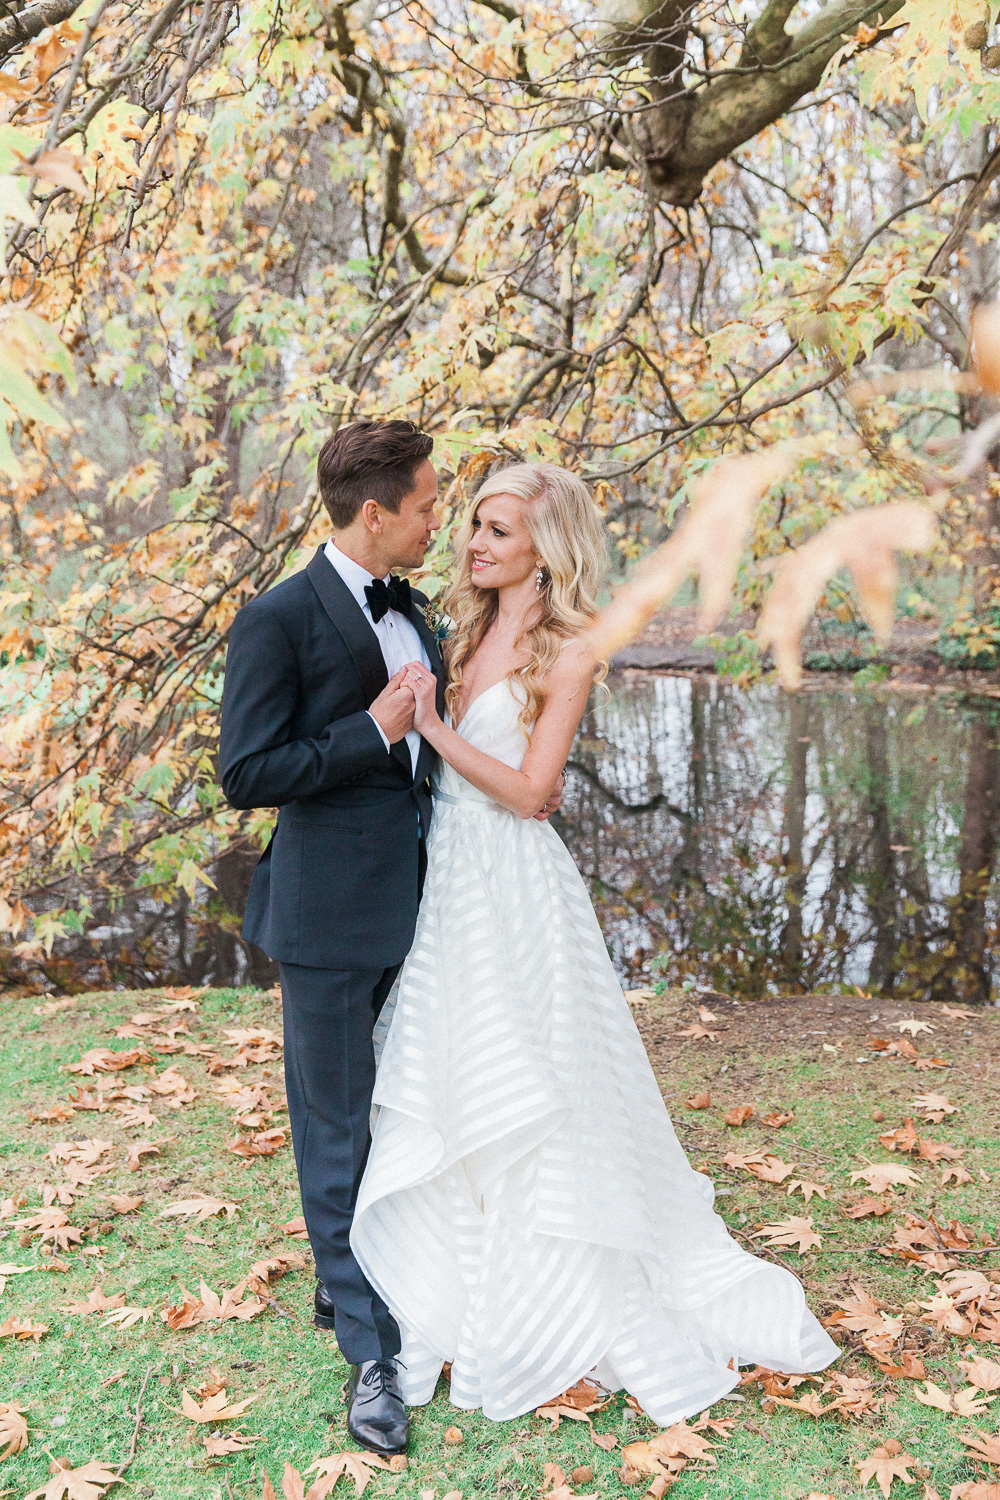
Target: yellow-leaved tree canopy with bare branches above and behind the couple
629	239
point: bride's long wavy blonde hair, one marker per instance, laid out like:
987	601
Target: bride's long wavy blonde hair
567	535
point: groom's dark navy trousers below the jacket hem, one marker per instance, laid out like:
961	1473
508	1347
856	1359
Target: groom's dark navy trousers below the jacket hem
329	1078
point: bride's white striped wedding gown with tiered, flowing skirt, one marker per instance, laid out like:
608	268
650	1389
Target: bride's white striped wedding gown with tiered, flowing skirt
527	1211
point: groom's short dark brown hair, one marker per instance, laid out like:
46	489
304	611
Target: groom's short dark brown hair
370	461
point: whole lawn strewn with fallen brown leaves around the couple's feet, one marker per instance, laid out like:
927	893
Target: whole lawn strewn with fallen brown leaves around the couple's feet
67	1216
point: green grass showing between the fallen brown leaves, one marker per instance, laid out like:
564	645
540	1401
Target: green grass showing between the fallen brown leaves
298	1373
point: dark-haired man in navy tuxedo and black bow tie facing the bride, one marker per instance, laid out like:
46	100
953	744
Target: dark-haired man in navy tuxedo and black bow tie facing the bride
317	722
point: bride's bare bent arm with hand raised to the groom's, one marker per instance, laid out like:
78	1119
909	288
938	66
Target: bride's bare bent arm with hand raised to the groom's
524	791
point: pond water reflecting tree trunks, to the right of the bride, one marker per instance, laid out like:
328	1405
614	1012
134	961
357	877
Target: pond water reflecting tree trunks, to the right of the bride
764	844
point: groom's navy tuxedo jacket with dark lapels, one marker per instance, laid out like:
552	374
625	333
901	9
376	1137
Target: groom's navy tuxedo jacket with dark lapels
338	886
